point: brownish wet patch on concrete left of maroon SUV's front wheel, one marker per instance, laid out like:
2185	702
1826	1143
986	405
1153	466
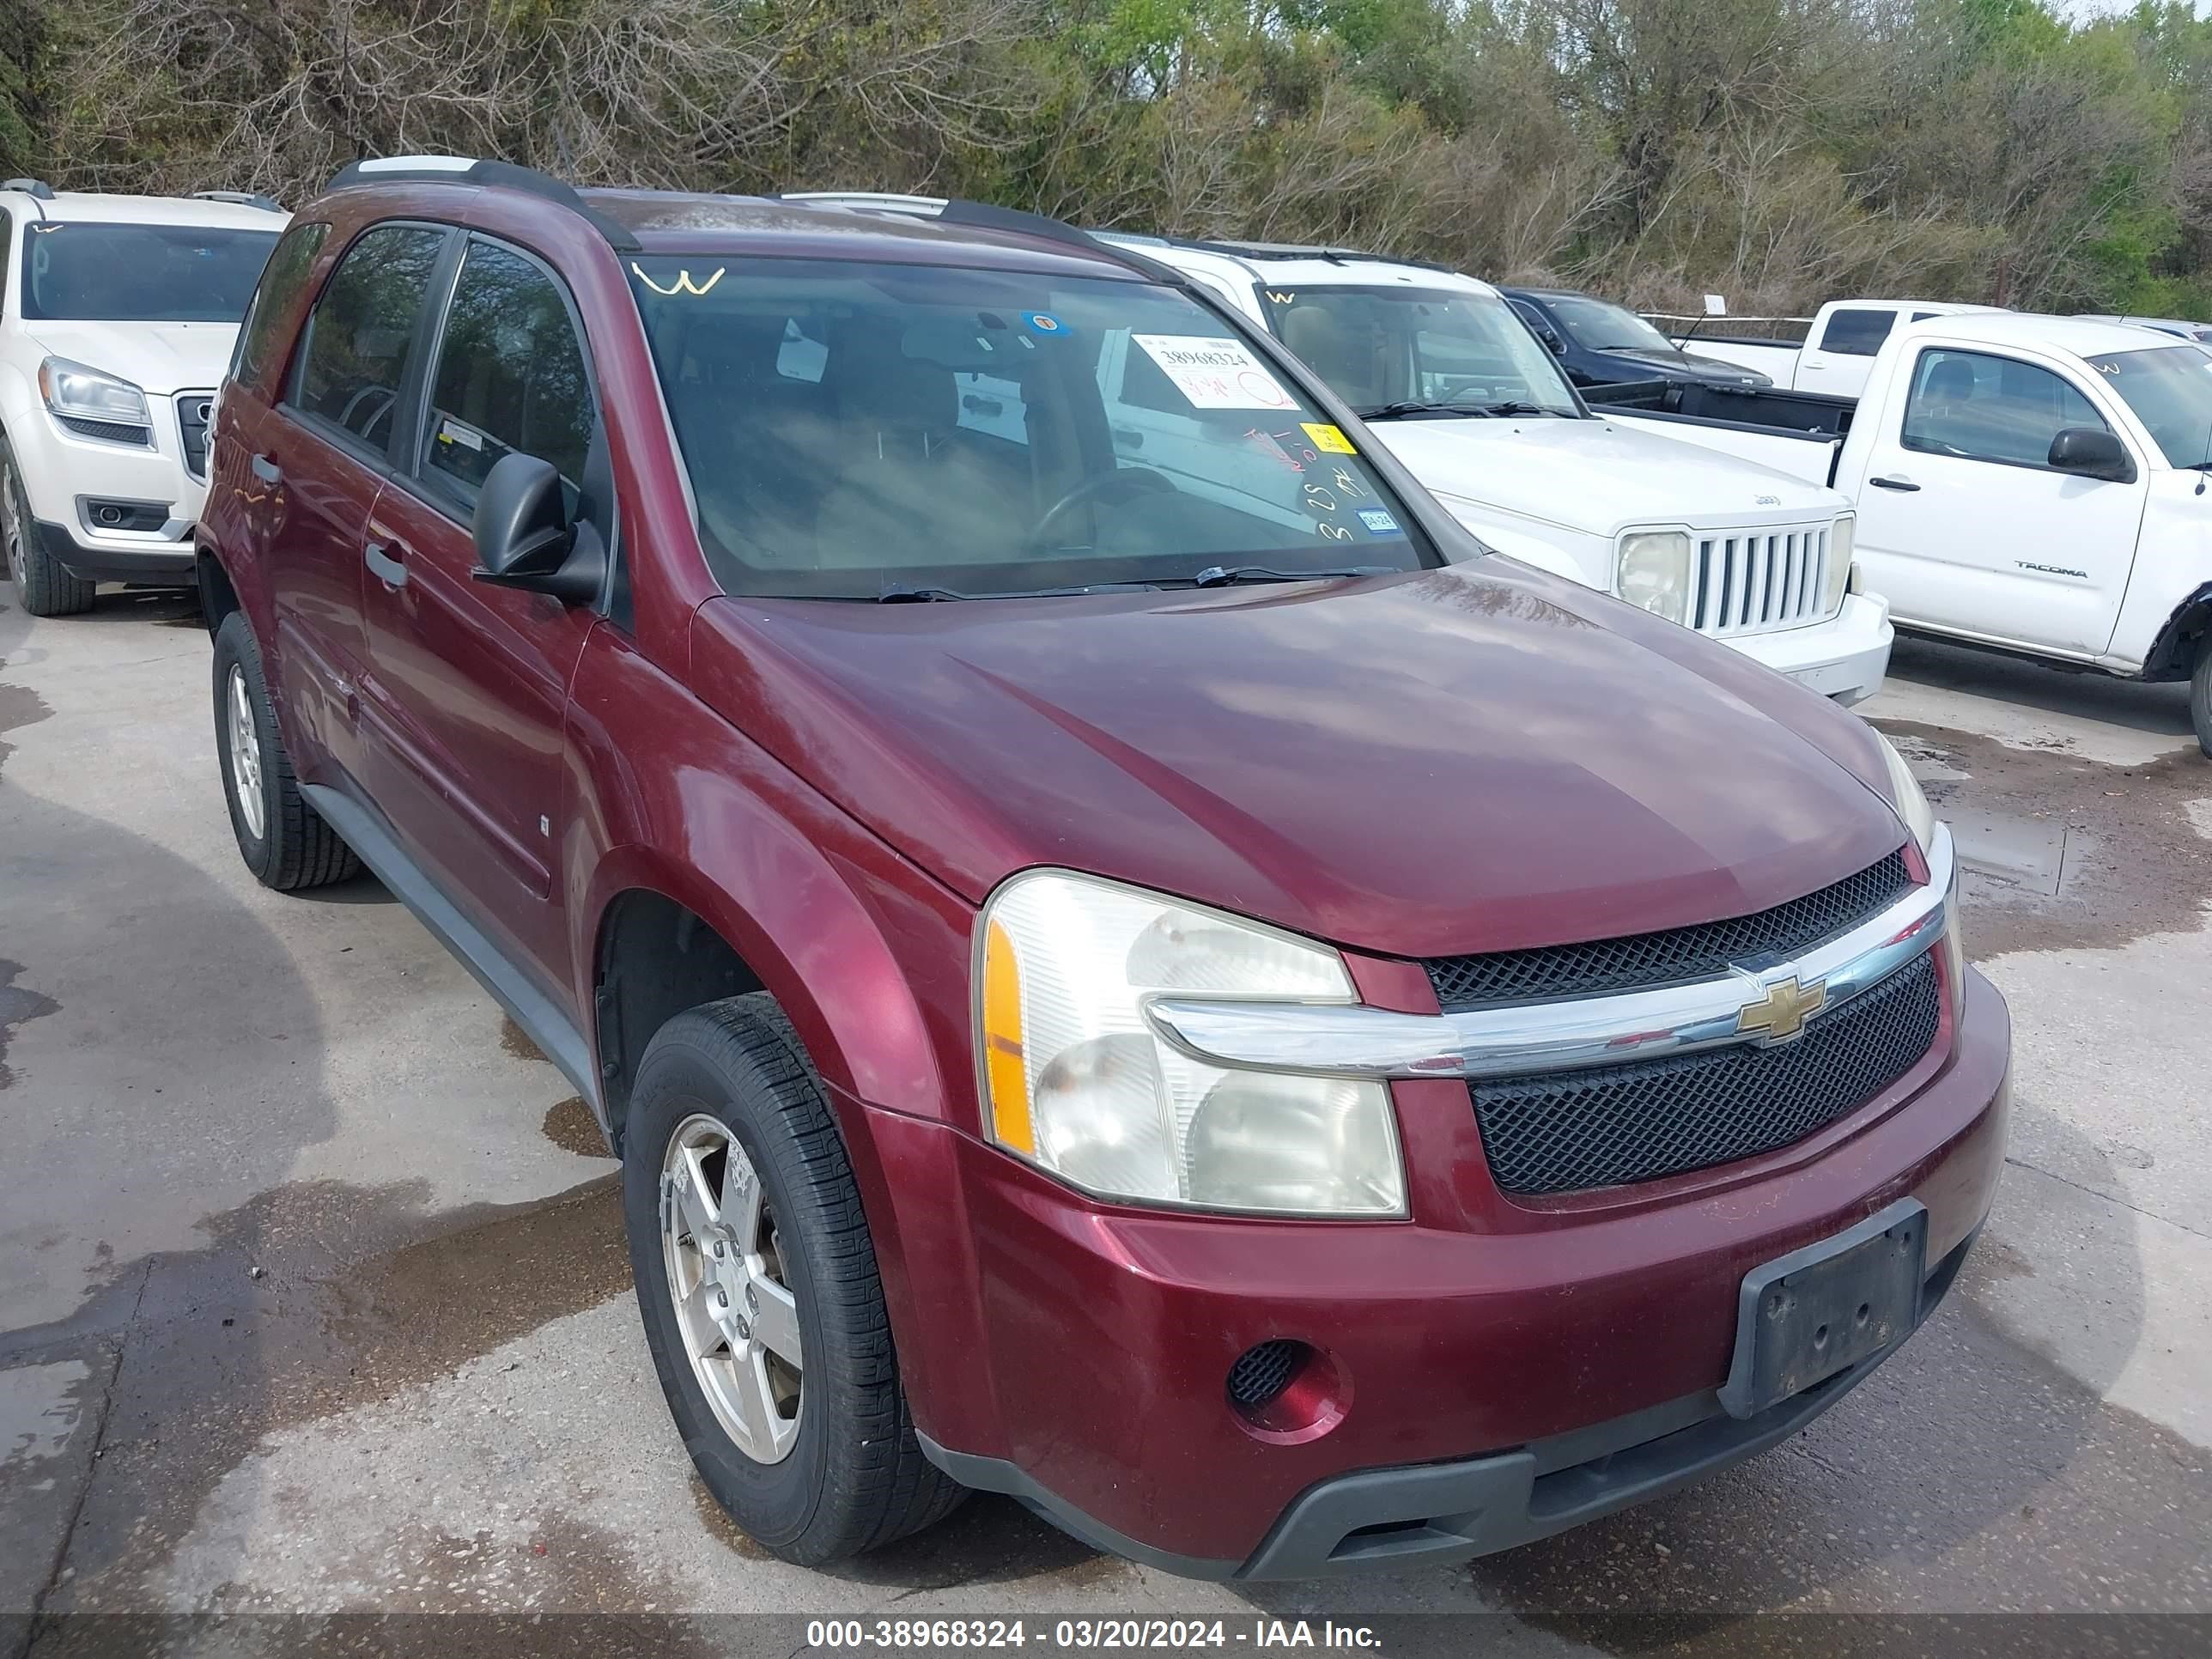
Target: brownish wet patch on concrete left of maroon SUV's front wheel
309	1302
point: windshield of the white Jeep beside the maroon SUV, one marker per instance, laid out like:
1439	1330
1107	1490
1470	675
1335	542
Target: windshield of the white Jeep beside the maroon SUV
1384	346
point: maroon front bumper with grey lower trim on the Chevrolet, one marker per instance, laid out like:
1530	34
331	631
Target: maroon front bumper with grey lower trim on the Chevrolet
1507	1370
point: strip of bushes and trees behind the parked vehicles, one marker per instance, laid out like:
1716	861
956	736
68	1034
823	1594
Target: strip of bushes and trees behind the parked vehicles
1780	152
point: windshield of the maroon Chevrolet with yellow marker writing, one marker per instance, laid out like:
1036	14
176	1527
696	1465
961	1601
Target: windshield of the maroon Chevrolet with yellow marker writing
864	430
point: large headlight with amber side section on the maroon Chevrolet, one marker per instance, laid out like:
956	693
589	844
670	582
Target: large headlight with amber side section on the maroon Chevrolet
1081	1085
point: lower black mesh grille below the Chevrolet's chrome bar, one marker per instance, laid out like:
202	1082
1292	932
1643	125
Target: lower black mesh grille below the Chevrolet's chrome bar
1645	1120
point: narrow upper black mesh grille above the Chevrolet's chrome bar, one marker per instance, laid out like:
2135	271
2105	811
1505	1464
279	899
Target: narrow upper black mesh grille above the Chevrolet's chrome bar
1676	957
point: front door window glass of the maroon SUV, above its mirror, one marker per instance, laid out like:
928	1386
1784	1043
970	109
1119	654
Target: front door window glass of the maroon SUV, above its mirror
510	377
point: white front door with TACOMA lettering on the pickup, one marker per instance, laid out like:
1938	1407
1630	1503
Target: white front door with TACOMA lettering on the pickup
1968	528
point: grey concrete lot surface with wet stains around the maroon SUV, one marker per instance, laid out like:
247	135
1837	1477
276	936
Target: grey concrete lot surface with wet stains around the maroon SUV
313	1293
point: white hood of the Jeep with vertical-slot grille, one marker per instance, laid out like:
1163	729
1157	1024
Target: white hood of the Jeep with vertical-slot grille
1598	477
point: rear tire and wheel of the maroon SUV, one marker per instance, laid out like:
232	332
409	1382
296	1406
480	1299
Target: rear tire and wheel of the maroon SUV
282	839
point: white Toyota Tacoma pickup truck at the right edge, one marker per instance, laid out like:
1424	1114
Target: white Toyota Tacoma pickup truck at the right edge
2025	483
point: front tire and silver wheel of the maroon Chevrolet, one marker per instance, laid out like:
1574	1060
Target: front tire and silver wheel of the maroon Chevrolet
760	1293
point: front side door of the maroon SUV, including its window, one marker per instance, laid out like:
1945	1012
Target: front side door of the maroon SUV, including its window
468	685
